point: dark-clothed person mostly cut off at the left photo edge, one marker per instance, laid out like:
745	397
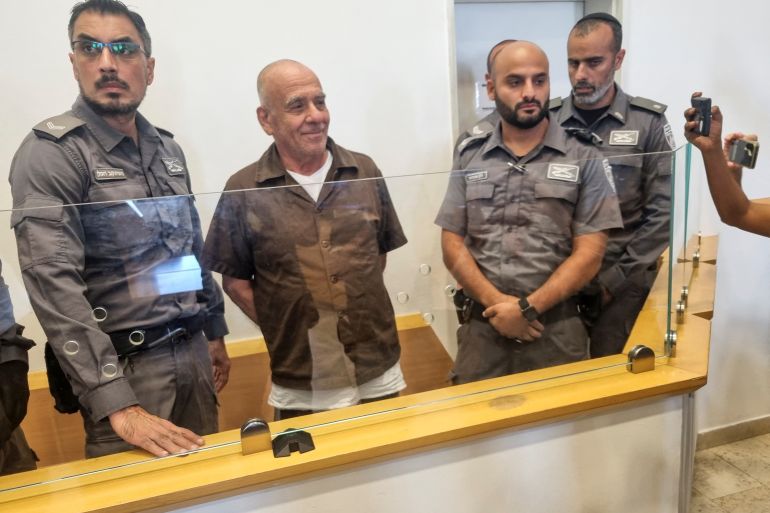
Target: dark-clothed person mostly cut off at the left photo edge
15	454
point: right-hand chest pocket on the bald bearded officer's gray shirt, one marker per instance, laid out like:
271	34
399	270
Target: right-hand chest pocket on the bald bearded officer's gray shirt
554	207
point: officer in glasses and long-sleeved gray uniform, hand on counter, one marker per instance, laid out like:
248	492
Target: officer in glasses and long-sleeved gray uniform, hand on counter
103	275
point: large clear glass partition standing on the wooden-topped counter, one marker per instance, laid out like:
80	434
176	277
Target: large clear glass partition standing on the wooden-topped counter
351	292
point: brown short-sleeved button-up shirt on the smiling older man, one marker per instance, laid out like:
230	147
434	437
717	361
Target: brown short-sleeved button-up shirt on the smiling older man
303	256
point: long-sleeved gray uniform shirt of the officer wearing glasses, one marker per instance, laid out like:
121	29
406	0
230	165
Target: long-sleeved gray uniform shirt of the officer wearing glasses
83	245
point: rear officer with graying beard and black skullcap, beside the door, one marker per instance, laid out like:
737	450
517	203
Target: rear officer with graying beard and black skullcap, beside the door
632	132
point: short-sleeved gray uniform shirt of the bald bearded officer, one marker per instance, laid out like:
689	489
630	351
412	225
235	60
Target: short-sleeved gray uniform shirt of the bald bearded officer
519	216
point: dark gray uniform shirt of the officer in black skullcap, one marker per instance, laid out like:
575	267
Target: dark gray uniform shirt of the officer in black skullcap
638	141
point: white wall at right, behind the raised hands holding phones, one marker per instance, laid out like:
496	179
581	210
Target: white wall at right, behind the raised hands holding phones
675	48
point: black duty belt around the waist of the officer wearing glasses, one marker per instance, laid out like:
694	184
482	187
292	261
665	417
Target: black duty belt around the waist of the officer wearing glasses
131	341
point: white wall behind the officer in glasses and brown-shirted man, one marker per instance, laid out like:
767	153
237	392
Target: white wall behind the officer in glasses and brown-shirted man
385	69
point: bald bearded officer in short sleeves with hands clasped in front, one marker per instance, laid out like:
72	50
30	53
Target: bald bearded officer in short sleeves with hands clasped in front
524	228
